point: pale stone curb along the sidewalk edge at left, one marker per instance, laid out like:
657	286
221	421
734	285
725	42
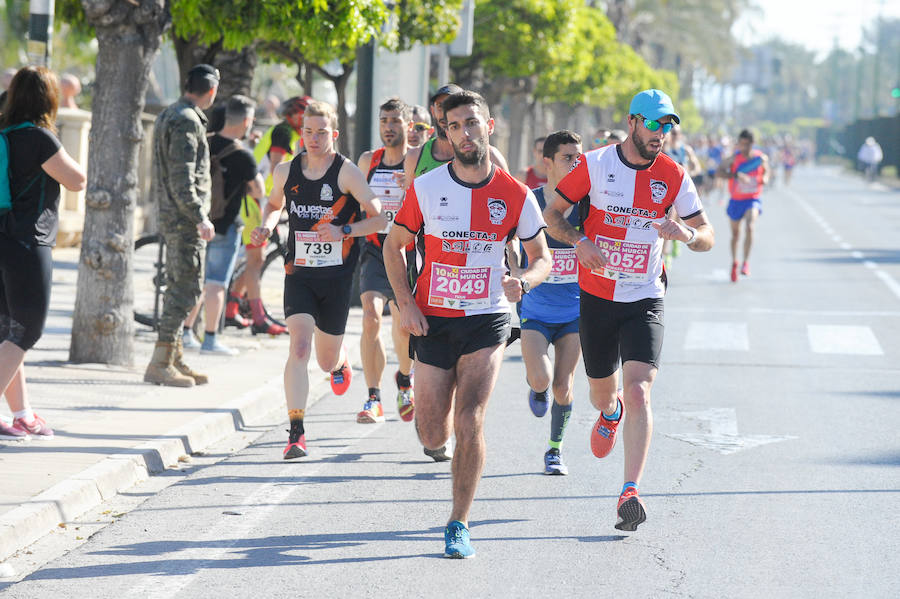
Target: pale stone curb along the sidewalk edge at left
116	473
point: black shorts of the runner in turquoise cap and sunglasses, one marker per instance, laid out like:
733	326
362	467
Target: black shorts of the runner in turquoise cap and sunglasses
612	331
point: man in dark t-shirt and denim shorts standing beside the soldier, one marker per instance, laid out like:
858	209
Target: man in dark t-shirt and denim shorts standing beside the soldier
240	178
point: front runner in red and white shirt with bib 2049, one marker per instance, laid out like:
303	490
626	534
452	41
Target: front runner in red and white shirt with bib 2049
464	213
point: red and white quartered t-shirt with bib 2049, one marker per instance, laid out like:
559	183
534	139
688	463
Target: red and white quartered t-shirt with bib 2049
465	228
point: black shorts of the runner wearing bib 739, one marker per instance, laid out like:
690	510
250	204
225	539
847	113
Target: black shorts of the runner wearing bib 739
327	300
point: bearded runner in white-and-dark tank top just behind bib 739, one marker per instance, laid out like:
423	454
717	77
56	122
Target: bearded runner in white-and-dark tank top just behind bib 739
384	172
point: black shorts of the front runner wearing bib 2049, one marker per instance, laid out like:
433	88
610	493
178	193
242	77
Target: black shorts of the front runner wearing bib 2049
450	338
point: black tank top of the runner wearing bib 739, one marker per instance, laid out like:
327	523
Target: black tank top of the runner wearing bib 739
311	204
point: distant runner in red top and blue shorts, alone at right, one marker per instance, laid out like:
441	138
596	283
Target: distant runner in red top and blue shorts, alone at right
747	170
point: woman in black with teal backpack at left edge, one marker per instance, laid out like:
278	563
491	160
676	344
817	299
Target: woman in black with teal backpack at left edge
33	164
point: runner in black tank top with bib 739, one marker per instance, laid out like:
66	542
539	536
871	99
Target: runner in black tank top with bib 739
325	191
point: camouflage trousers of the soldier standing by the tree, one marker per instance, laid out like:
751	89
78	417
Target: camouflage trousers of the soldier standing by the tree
184	277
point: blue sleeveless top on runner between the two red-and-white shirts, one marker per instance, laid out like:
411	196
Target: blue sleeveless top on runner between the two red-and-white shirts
555	301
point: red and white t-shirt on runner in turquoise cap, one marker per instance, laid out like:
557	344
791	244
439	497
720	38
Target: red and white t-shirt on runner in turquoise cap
624	200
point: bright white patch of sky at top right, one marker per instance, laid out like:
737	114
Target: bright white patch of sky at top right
813	24
